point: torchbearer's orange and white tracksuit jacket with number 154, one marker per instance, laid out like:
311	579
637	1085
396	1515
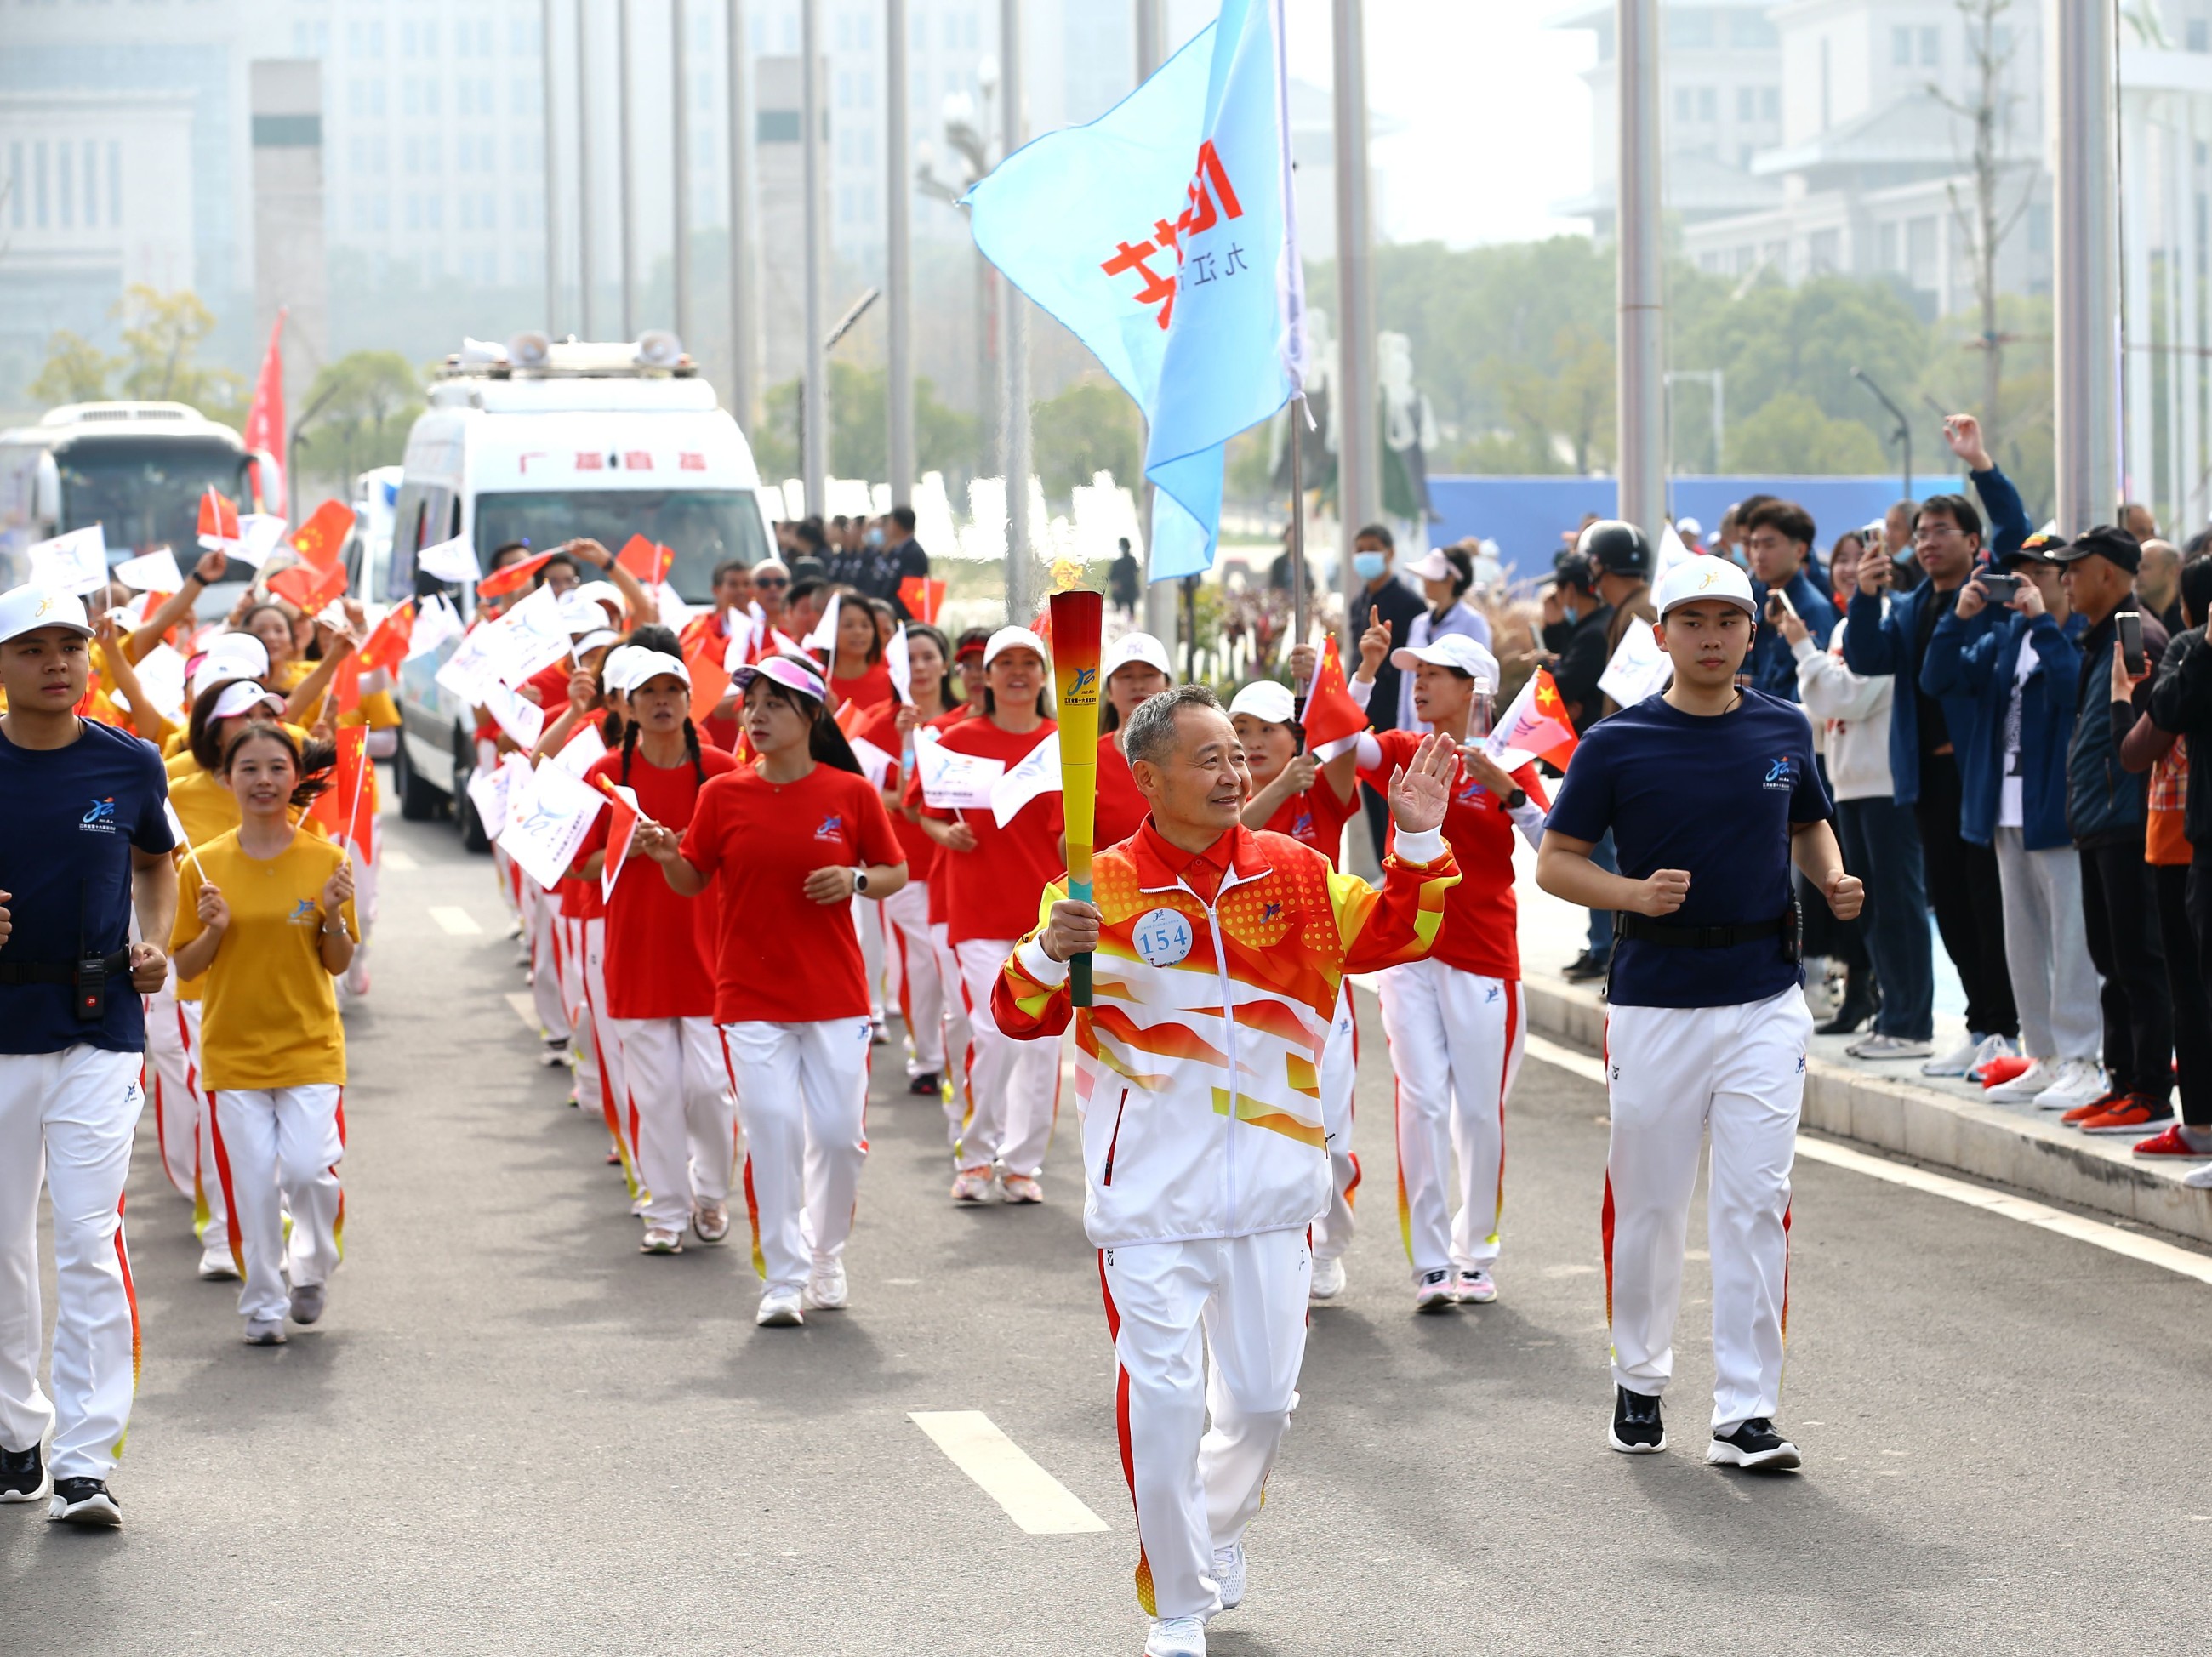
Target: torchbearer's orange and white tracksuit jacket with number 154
1200	1063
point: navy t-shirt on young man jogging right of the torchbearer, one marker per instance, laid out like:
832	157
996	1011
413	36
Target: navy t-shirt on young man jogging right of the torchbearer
1711	795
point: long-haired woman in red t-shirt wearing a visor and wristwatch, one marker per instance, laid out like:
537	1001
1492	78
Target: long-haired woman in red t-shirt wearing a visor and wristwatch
793	840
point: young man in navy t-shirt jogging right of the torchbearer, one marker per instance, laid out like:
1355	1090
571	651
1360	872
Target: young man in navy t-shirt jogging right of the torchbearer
1711	795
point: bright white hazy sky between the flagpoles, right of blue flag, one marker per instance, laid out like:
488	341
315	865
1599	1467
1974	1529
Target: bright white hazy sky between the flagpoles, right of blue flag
1496	121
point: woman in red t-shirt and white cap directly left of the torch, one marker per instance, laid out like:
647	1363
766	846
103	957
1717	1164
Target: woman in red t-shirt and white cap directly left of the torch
994	879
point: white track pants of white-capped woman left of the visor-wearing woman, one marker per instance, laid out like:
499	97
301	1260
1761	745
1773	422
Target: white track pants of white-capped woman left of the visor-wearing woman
682	1114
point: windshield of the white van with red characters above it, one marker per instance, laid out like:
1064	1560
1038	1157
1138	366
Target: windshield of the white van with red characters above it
705	528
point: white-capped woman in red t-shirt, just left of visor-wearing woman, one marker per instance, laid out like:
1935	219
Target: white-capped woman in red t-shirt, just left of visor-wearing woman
660	990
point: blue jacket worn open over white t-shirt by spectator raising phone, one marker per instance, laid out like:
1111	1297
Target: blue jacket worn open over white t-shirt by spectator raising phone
2047	709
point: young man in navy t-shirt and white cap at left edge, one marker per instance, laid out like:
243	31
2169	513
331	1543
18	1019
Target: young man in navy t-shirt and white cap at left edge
83	842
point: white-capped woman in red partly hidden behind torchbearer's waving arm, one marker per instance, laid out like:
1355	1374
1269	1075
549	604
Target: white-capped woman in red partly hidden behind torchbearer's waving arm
1311	802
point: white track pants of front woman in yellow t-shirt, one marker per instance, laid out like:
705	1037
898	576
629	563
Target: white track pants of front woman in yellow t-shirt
278	1151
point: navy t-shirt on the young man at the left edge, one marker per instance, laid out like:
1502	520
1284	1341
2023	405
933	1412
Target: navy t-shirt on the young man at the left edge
67	824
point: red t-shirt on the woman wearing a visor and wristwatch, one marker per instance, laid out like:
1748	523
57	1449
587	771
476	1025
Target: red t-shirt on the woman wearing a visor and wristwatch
786	959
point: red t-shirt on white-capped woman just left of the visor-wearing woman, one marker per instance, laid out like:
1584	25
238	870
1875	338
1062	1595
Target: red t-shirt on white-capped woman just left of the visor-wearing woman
658	959
